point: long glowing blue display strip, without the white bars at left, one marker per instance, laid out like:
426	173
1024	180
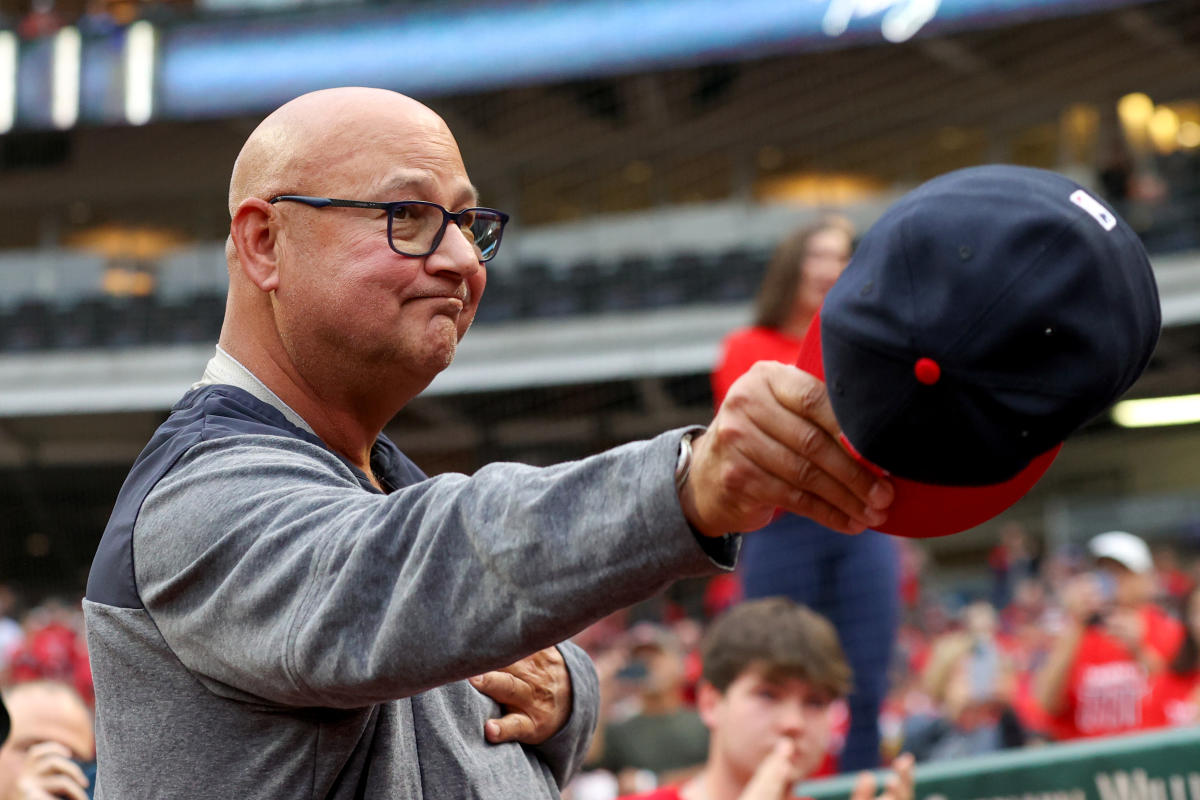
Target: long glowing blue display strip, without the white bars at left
489	46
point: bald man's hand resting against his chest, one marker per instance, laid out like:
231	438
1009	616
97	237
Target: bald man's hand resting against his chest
536	695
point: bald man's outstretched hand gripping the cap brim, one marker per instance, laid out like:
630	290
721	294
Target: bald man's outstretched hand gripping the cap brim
773	444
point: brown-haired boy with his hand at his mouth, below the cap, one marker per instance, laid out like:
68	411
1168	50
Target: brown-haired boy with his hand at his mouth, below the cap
771	671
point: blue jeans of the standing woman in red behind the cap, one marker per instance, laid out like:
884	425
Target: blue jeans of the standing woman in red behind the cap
854	582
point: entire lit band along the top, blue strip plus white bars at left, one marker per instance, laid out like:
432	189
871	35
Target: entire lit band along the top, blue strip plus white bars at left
227	65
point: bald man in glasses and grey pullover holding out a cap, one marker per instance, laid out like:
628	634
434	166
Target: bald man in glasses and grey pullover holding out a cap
284	605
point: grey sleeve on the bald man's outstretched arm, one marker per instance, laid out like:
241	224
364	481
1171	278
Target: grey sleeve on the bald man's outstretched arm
274	576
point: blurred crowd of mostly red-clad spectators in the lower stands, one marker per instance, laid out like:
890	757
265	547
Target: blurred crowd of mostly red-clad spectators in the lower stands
974	671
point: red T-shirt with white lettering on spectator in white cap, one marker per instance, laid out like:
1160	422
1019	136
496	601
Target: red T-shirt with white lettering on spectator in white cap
1107	688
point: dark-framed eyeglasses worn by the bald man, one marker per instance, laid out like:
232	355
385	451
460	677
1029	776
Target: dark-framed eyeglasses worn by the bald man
416	228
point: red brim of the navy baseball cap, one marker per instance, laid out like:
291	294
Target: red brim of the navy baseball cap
927	510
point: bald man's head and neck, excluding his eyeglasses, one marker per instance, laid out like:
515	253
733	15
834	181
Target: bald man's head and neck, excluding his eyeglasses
321	306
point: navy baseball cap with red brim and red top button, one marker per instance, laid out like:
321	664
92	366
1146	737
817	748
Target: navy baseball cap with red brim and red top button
983	318
